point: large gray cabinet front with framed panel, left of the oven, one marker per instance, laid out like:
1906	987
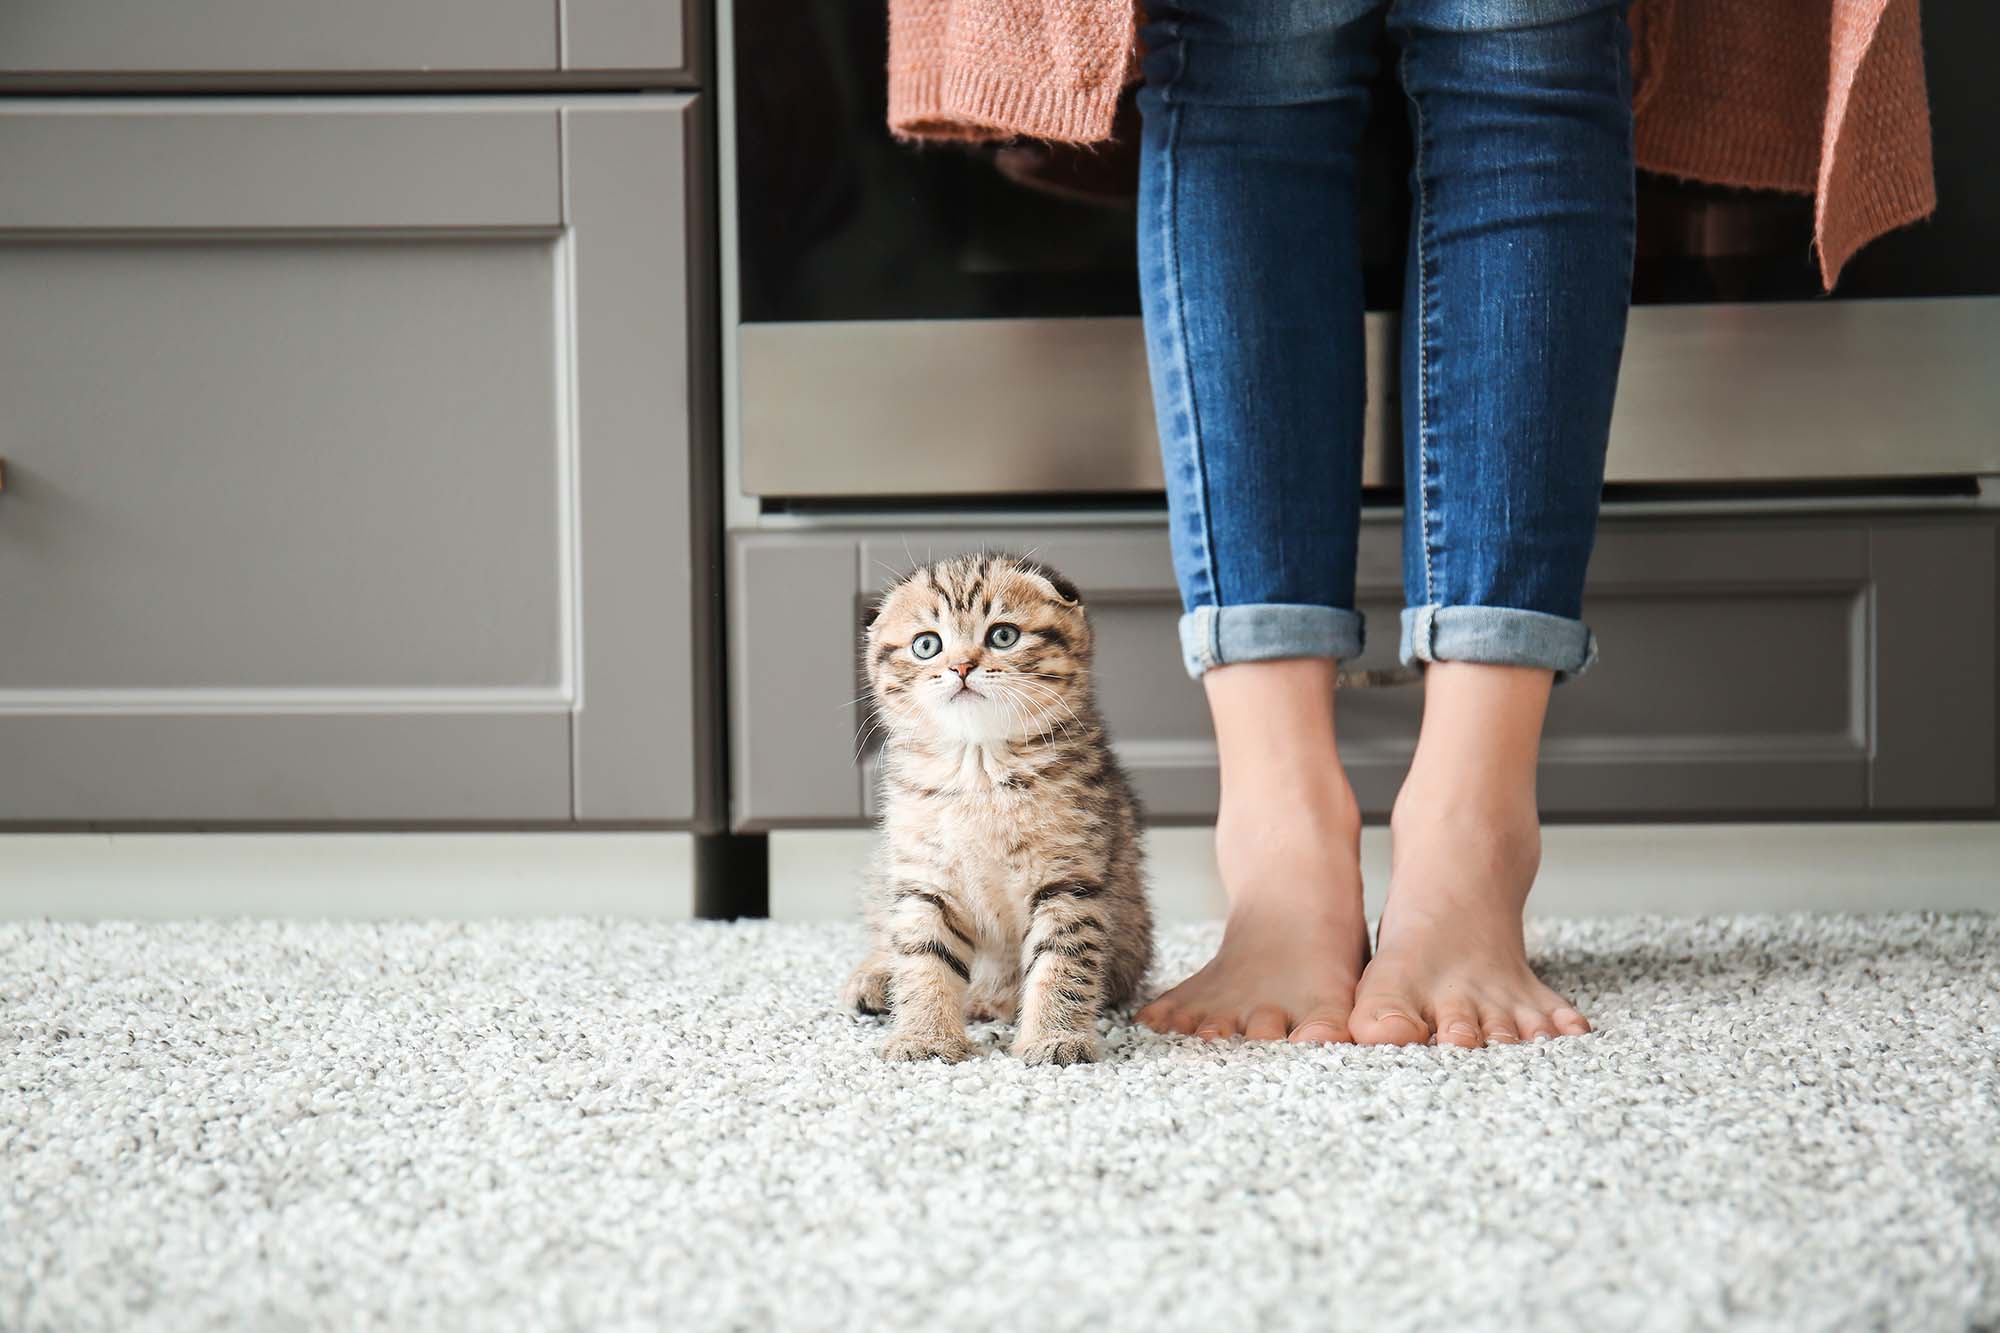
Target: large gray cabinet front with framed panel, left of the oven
347	461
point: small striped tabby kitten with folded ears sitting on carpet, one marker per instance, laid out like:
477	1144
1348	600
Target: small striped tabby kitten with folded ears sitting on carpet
1007	880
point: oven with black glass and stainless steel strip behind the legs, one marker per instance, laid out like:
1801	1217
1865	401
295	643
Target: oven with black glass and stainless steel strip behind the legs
945	323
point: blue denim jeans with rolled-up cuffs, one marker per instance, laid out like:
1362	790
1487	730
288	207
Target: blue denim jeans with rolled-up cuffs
1513	317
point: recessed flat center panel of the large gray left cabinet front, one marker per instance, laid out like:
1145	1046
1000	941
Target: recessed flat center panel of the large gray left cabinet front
247	467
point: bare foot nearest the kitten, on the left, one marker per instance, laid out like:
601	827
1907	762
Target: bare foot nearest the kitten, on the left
1295	940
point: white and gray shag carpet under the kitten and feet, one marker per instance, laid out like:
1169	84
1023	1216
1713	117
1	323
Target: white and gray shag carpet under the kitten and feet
1783	1124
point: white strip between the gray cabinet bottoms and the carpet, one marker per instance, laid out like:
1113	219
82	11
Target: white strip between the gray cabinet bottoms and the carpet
1589	872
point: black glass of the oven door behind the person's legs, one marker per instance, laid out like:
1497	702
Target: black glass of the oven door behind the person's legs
841	223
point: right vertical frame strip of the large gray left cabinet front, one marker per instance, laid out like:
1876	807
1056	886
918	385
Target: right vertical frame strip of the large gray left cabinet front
633	417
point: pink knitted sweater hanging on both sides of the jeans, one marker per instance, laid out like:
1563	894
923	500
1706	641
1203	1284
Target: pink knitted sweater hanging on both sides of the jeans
1815	97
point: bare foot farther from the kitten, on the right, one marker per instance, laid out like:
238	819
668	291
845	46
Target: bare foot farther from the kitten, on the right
1453	966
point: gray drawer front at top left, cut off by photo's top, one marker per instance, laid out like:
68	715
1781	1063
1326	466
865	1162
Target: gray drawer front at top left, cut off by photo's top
237	45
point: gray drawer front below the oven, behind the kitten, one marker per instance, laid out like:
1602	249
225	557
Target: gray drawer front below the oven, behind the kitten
1751	668
